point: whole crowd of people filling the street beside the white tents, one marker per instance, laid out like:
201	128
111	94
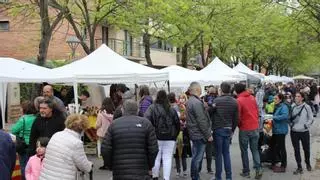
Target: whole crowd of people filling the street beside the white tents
136	138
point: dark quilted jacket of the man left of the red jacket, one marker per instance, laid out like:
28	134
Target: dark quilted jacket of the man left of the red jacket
225	113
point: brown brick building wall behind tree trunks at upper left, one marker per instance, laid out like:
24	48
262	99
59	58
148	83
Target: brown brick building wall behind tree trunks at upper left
22	39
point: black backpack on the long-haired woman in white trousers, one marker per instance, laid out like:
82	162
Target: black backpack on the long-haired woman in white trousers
165	126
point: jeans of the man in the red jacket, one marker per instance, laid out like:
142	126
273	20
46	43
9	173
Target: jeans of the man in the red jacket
249	138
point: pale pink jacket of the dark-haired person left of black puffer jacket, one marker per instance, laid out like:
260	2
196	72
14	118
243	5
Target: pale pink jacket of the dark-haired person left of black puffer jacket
103	122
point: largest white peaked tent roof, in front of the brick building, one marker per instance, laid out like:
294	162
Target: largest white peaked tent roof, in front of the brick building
105	66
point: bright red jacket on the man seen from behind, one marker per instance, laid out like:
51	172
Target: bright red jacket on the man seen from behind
248	112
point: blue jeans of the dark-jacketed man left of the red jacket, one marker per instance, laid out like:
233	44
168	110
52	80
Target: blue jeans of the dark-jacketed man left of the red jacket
222	138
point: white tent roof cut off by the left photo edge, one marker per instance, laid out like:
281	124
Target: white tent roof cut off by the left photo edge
12	70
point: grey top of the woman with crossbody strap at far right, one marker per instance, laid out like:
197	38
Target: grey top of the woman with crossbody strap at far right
303	122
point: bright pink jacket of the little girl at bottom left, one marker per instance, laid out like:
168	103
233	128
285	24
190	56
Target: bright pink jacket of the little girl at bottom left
33	168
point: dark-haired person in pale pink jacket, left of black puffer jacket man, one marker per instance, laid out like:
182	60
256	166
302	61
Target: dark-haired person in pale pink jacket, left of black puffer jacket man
104	120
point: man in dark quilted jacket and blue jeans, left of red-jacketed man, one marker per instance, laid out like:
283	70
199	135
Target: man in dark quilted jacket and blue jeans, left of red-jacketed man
224	116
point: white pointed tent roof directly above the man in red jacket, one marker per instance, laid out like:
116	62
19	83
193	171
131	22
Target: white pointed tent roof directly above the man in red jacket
217	67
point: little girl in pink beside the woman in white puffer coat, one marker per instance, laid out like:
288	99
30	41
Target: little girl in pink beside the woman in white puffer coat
35	163
